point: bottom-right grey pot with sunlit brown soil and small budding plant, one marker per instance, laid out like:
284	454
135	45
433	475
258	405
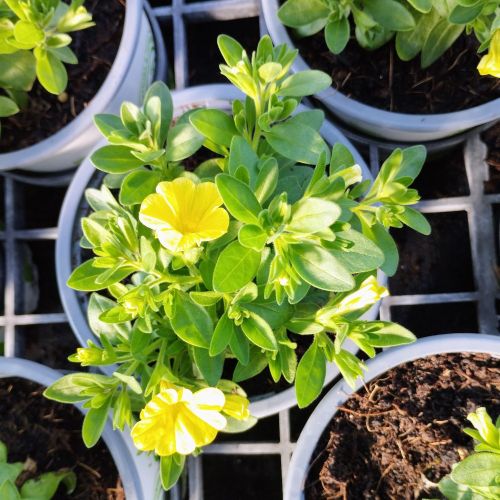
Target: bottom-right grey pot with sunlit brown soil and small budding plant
402	430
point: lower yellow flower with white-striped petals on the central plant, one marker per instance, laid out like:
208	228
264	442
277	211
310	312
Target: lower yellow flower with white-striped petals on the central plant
177	420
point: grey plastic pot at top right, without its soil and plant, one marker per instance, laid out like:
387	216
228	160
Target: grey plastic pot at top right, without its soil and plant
399	127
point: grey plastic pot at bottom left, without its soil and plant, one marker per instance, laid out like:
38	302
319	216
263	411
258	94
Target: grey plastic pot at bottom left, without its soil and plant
139	473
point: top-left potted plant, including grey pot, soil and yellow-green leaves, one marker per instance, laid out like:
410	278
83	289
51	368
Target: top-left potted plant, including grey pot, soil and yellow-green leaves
47	123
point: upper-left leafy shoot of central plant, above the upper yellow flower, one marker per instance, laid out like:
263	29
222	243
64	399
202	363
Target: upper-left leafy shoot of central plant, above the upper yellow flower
145	145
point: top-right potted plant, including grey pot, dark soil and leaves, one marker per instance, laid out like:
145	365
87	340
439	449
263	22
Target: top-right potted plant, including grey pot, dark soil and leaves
416	89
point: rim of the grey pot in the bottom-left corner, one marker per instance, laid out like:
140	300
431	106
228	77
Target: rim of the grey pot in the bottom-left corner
126	465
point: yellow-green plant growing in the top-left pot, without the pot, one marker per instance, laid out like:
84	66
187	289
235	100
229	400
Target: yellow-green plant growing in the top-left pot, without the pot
34	44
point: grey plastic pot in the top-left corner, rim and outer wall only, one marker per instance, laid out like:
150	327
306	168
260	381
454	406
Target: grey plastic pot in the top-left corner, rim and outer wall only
128	79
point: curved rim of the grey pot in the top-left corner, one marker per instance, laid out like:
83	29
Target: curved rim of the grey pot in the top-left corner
119	69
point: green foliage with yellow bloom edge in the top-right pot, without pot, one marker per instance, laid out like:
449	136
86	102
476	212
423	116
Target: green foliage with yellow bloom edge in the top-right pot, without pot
422	27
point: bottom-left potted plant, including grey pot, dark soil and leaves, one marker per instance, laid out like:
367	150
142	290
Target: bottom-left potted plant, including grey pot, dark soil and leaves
44	449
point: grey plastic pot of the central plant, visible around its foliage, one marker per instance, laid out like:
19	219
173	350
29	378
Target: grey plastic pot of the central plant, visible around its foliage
68	252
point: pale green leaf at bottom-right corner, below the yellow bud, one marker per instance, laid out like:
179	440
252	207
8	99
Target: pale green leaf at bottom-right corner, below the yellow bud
478	469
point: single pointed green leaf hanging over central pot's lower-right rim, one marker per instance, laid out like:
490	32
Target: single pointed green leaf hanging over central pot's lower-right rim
310	375
